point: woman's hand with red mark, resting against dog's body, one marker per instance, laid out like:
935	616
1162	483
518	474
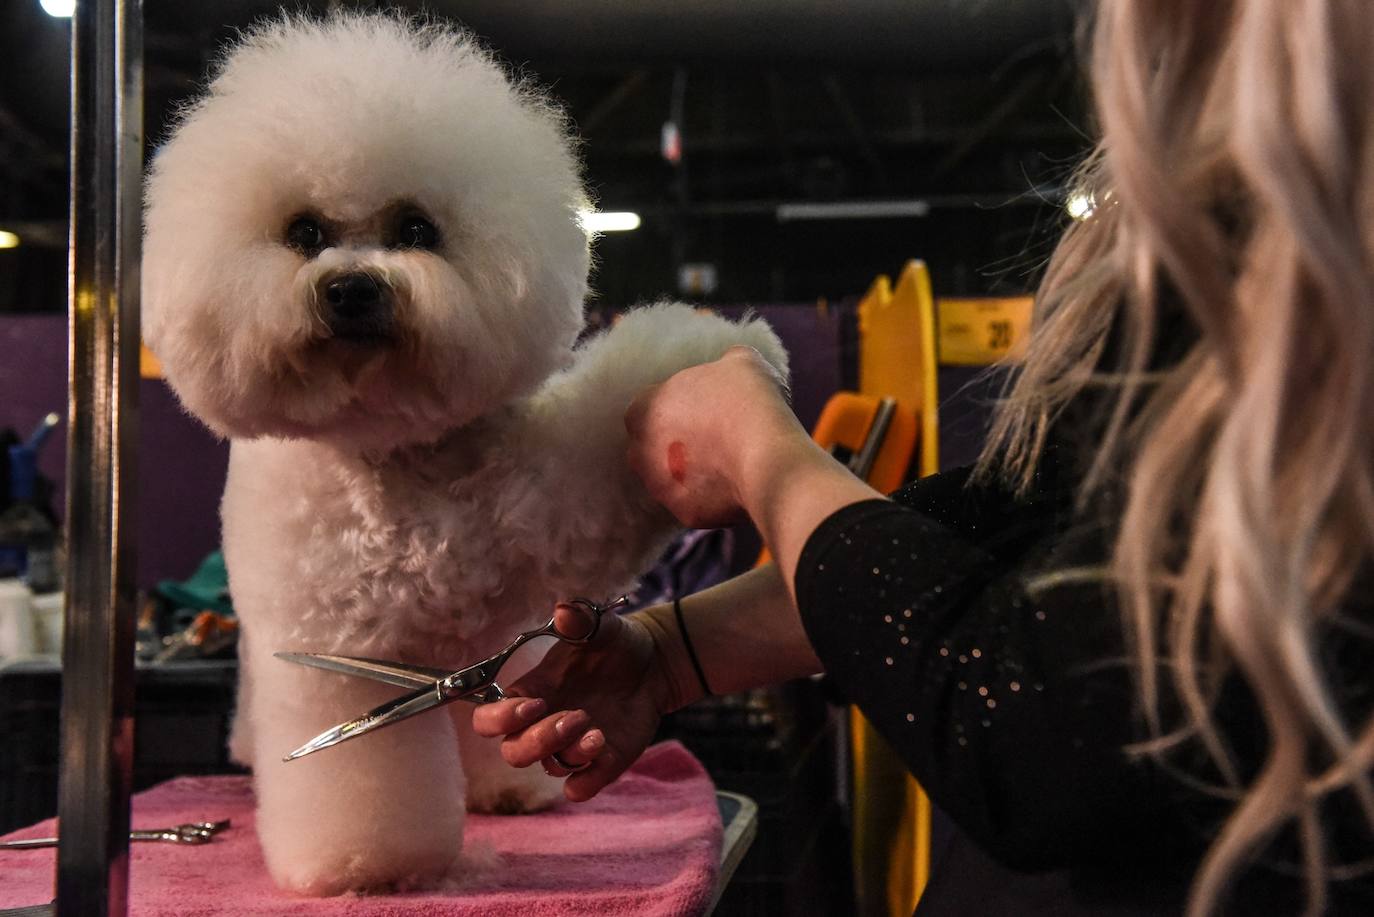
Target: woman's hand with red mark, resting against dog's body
695	438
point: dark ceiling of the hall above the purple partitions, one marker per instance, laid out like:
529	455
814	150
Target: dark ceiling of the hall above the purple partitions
972	107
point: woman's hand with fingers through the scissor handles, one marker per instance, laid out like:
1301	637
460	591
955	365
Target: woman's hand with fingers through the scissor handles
594	705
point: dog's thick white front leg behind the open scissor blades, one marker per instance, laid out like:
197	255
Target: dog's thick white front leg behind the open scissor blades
383	812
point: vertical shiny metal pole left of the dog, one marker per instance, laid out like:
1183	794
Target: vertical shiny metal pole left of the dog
102	442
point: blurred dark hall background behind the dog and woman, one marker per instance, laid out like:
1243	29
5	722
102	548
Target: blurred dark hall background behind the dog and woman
798	157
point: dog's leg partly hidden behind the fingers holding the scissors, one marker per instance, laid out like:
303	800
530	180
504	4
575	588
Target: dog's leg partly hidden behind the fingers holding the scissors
493	784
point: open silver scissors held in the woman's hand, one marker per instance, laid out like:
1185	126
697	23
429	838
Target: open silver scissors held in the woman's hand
436	687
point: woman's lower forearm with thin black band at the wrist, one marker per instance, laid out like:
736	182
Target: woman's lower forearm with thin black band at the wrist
747	634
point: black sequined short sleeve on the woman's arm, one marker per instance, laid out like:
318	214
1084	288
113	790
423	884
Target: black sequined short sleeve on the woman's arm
975	633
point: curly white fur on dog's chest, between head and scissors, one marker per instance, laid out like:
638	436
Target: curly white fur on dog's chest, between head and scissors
418	549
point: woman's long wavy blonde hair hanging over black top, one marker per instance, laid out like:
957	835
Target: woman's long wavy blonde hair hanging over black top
1235	181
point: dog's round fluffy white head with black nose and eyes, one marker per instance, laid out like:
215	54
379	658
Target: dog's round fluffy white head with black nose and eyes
381	153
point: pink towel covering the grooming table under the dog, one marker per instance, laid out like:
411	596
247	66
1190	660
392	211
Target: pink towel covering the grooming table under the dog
648	846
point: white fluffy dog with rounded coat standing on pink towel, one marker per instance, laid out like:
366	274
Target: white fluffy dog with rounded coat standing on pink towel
365	265
